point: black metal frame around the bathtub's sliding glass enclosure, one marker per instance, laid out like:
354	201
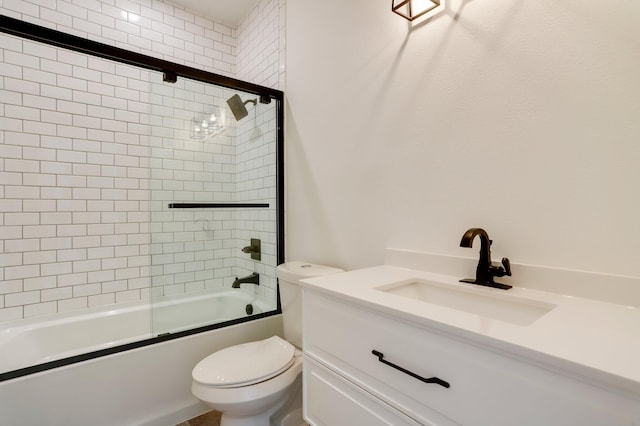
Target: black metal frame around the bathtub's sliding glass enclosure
171	72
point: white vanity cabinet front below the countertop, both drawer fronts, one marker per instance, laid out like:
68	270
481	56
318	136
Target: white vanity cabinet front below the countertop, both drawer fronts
345	383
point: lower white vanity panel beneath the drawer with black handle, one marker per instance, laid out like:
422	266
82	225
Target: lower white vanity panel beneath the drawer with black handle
333	401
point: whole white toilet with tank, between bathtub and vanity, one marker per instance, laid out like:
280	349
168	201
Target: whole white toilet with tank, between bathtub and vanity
260	383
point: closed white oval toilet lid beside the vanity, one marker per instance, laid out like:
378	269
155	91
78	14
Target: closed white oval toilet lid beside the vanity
245	364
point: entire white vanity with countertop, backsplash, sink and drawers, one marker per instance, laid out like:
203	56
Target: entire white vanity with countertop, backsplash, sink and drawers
405	343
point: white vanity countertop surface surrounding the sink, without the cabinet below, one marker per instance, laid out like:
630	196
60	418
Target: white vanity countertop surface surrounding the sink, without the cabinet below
596	340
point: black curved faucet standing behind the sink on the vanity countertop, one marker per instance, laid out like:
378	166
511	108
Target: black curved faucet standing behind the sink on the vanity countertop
485	270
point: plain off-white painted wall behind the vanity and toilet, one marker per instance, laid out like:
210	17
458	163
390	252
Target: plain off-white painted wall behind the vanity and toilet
519	117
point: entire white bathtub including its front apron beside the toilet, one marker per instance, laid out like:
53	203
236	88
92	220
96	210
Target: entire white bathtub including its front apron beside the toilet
146	385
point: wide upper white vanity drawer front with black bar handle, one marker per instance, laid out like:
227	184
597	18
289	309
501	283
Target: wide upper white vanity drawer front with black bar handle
486	388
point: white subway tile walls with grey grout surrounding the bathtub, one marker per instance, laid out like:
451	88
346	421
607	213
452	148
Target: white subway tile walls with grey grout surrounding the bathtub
91	156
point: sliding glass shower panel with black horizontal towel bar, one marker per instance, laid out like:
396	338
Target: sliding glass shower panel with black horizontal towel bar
213	192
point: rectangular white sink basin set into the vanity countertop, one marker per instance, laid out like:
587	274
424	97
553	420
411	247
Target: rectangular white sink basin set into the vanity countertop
483	302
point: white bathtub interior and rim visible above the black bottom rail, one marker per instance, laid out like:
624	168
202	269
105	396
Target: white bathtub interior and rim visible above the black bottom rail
35	341
